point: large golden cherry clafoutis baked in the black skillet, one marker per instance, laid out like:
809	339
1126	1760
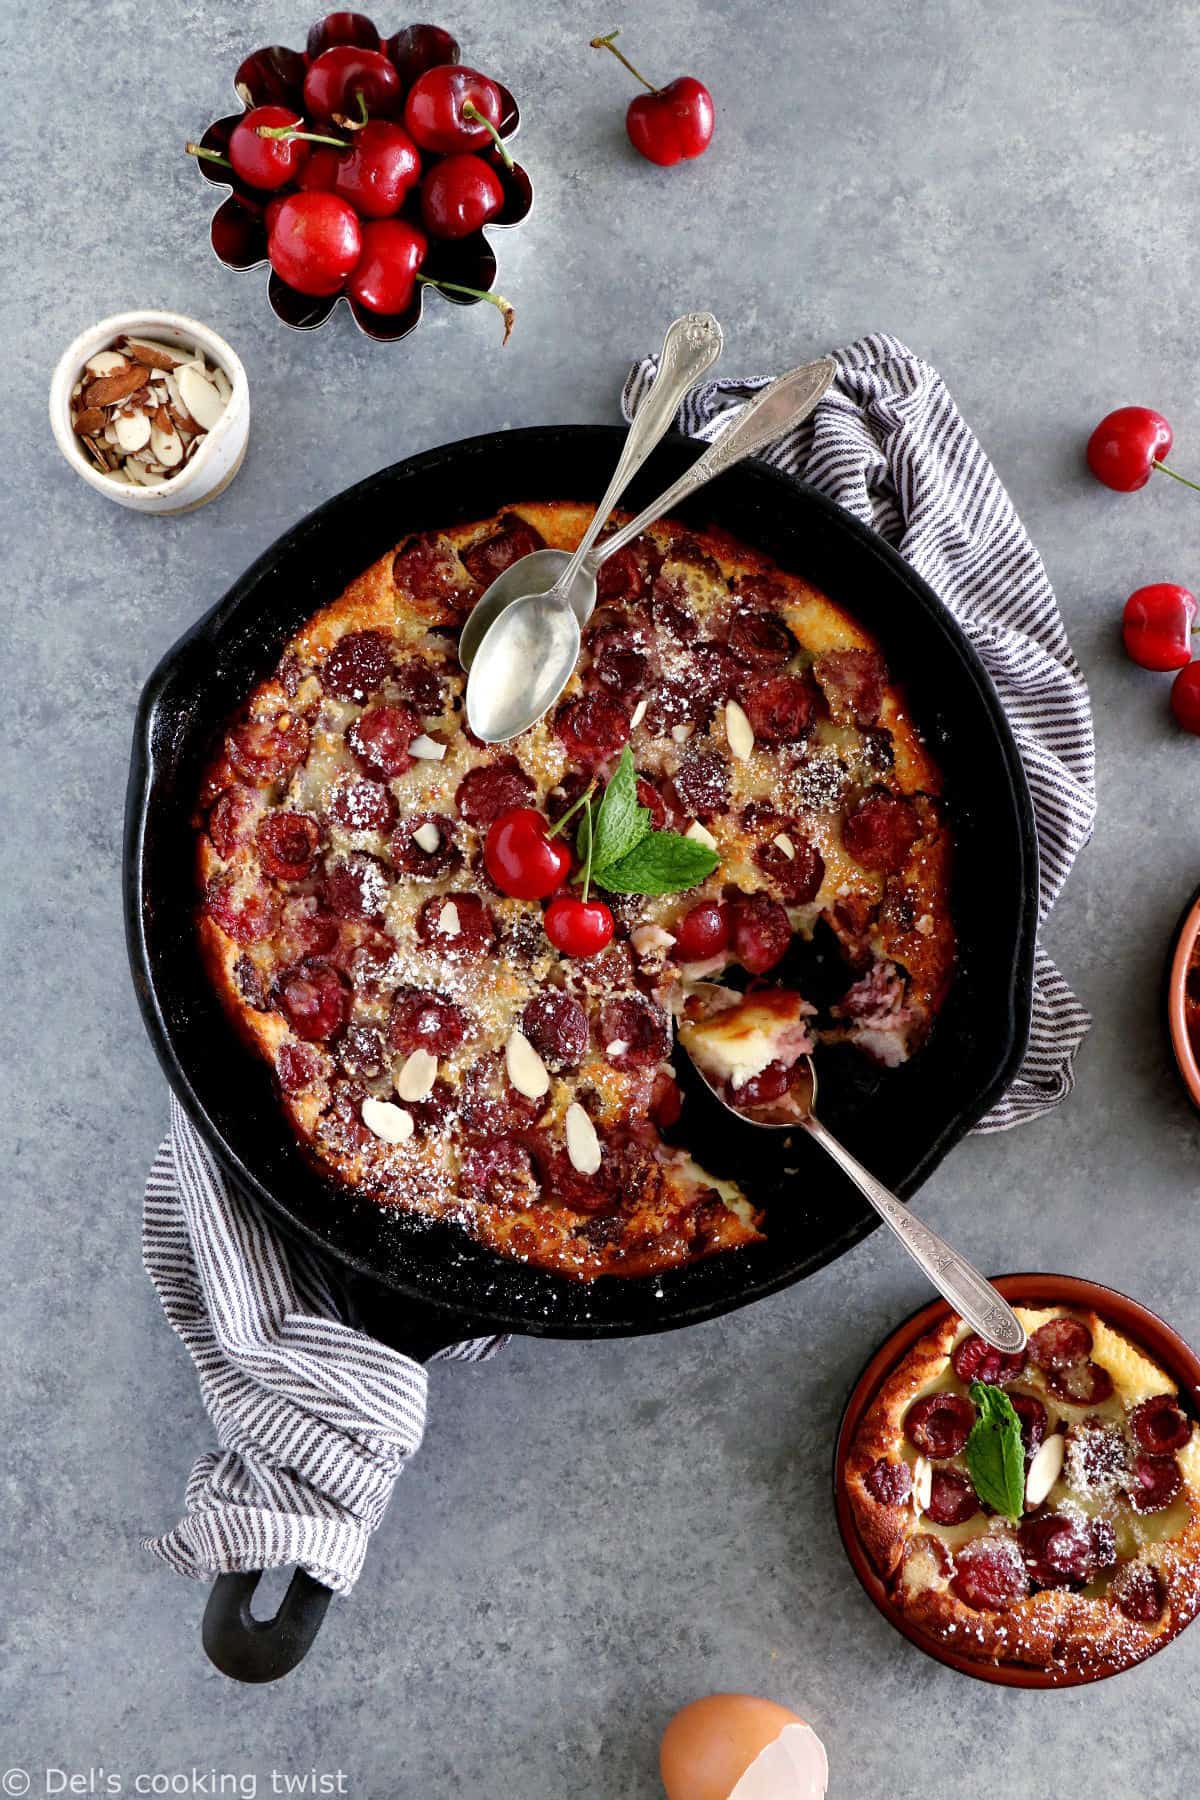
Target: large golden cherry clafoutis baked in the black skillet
433	1047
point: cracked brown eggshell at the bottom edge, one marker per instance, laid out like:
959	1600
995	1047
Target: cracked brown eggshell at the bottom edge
710	1747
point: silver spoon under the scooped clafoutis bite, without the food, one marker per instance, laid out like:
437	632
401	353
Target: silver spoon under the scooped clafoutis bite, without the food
972	1295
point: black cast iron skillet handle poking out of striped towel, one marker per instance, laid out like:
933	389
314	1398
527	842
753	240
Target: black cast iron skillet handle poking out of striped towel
264	1650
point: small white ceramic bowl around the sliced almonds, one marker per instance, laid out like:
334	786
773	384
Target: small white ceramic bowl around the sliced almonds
224	447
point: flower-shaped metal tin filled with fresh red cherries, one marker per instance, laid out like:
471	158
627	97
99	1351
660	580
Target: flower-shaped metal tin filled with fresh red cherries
366	170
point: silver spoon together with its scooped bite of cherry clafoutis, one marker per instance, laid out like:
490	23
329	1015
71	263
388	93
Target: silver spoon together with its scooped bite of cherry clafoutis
755	1056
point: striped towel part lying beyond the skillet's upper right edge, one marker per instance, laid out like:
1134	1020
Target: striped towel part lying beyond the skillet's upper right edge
890	445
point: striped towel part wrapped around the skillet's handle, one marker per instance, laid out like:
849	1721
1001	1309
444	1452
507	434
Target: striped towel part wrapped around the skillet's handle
314	1419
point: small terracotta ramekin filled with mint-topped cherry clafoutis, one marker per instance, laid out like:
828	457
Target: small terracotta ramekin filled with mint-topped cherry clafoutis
1030	1520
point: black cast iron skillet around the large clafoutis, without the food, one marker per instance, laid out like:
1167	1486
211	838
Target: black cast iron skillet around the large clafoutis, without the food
429	1284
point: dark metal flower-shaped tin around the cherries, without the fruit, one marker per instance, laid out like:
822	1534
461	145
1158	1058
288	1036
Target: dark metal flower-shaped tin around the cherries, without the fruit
276	76
